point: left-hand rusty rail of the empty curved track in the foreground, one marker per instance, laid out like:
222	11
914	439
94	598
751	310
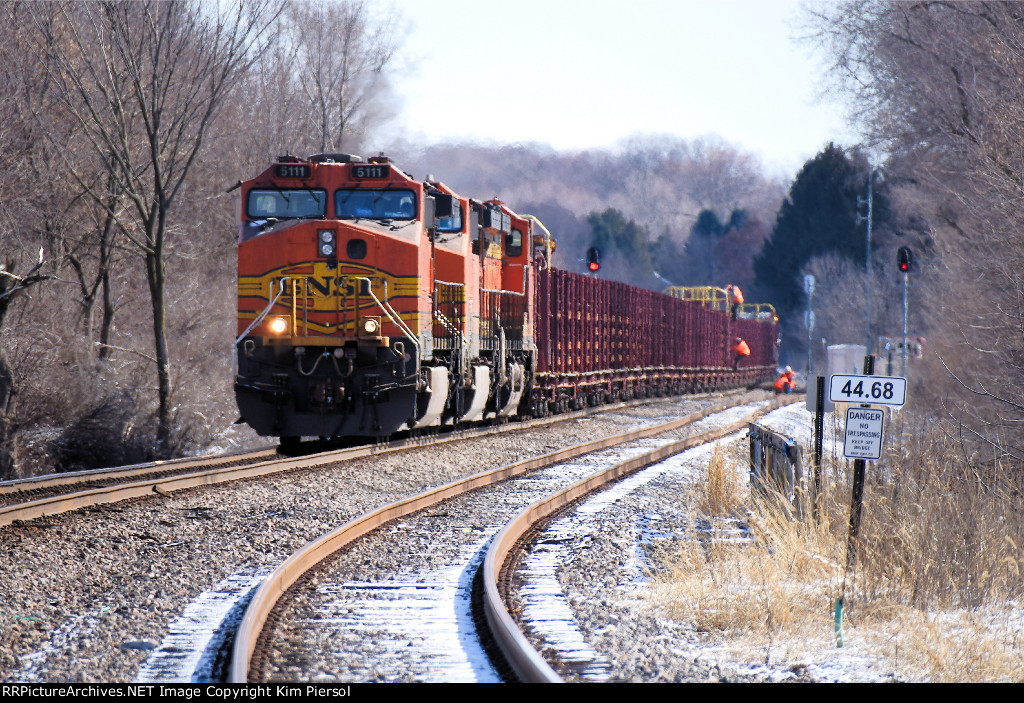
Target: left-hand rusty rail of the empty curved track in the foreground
278	584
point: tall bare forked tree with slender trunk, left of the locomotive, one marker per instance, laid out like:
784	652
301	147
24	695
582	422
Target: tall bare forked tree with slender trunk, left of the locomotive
144	81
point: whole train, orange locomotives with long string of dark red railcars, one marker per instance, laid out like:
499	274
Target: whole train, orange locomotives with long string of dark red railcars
371	303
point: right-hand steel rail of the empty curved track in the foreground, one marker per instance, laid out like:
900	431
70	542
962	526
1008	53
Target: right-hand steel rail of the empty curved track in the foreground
528	664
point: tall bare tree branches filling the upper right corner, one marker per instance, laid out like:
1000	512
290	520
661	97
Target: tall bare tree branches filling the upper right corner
937	86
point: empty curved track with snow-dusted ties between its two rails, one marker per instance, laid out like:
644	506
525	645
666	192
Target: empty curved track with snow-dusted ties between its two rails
258	658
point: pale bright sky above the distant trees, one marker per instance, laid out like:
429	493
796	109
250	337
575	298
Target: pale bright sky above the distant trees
579	74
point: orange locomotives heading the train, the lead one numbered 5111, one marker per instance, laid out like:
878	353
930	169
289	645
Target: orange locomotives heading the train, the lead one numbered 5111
361	305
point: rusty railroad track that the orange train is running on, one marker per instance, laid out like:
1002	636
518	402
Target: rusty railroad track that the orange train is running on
62	494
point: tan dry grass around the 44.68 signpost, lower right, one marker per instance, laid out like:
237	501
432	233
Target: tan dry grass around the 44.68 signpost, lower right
933	594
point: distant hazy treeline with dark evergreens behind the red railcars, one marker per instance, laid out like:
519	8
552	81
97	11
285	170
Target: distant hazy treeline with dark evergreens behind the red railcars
669	212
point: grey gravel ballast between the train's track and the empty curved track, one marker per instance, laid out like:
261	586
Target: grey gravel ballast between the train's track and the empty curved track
110	594
